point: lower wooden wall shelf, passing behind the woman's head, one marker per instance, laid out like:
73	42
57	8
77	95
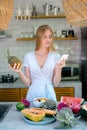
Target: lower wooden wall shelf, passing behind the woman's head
56	38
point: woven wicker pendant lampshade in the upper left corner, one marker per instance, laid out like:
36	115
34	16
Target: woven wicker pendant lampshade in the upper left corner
6	11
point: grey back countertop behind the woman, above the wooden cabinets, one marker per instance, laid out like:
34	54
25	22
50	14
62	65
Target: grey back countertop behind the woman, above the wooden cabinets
76	84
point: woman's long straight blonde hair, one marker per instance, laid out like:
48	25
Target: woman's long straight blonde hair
39	33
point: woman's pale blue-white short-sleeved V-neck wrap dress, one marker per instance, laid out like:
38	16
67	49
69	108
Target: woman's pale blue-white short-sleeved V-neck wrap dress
41	78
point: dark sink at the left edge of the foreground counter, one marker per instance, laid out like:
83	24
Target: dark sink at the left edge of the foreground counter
4	108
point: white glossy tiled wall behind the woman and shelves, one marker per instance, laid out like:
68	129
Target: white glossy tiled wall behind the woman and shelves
17	26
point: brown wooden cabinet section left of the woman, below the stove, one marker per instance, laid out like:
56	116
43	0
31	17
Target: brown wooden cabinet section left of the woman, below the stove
12	94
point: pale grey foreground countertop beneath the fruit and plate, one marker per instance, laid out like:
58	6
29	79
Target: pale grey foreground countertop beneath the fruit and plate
14	121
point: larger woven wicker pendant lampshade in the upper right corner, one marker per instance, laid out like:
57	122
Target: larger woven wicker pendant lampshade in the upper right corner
76	12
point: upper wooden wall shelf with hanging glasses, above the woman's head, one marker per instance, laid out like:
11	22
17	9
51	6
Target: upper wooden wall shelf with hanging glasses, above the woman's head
41	16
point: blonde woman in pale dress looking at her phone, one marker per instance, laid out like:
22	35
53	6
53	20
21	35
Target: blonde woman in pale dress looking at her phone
42	66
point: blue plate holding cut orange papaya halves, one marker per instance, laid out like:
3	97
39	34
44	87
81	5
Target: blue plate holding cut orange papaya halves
38	116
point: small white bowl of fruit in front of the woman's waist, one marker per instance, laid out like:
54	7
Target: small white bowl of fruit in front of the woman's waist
38	102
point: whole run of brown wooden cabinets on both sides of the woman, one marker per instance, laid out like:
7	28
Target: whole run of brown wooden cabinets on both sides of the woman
16	94
